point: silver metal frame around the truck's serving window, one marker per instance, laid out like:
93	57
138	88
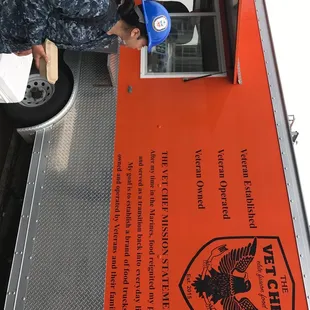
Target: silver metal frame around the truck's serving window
220	50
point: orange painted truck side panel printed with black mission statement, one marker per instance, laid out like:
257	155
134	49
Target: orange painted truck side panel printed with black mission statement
199	182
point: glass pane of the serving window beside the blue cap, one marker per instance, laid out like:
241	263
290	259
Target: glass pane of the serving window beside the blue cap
191	47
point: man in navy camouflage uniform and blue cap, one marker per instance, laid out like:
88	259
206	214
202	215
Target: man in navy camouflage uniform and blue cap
80	24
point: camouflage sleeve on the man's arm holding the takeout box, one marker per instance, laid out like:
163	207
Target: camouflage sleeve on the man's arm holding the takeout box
36	13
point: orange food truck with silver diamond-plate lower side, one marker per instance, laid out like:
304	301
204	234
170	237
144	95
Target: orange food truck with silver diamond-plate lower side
167	180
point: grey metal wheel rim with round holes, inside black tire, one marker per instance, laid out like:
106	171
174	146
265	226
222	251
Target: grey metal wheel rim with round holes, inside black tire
38	92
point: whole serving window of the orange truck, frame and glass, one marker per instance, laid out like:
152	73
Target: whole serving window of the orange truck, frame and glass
195	46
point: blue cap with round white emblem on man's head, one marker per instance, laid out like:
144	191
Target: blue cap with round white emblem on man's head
157	21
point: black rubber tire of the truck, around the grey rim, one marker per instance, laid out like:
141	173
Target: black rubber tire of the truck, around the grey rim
30	116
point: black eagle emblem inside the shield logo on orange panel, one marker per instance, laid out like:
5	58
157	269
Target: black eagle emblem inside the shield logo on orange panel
222	285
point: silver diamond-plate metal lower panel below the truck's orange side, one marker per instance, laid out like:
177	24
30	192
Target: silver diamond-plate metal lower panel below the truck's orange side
66	264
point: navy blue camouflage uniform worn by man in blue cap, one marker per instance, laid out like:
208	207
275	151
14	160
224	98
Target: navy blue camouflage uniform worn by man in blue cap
24	23
